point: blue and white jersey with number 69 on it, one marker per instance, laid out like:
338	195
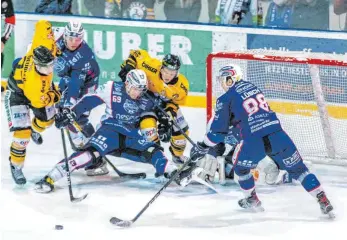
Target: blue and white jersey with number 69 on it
122	112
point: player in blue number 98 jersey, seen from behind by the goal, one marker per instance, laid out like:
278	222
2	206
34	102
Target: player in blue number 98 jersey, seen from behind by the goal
243	106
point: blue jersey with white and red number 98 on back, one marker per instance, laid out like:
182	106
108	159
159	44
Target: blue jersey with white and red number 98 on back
243	106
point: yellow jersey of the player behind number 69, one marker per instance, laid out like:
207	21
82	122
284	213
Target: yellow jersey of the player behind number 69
176	90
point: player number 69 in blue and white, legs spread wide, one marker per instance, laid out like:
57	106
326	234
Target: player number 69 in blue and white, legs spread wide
118	134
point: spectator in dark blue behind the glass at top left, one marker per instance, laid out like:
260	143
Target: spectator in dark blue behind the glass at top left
54	7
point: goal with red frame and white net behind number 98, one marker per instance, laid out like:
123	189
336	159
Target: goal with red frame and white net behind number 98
308	91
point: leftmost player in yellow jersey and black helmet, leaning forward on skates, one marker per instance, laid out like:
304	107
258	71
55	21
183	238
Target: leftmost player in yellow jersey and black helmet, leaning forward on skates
30	86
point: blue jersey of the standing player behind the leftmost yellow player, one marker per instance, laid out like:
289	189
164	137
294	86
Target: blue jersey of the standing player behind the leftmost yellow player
78	71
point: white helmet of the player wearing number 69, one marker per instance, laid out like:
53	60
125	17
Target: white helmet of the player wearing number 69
136	79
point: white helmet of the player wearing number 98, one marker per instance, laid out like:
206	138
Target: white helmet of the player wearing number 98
230	74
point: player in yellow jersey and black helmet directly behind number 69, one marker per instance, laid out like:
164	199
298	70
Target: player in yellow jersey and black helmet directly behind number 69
172	88
